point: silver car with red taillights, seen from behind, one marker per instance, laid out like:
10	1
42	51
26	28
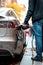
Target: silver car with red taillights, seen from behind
11	40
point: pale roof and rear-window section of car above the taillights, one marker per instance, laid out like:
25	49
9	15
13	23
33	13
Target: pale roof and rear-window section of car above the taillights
3	15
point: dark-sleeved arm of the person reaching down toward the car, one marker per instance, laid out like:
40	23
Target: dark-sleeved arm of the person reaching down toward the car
31	6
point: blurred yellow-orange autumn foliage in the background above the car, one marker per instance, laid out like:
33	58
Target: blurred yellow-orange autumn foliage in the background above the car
16	7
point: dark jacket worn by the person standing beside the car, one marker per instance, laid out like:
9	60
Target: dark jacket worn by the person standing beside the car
35	9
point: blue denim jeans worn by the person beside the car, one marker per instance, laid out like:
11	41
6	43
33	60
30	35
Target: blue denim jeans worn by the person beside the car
37	27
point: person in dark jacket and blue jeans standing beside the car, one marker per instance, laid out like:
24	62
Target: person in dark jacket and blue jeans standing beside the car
35	10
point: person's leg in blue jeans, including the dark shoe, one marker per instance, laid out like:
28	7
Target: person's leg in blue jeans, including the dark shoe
38	37
